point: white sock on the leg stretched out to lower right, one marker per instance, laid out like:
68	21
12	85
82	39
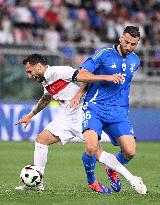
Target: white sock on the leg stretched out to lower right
111	161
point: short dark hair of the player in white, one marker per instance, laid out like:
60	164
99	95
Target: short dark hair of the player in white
35	59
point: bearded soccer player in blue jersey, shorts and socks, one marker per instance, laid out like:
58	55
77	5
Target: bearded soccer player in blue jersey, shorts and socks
106	103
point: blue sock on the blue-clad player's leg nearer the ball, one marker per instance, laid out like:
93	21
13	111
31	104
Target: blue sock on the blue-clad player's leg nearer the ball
89	163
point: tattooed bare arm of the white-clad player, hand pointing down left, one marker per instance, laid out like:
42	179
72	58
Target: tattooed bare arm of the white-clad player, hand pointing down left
42	103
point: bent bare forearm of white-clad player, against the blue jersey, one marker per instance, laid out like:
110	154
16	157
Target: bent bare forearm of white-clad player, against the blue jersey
77	97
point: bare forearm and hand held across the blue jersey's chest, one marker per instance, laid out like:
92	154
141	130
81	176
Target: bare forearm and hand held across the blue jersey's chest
85	76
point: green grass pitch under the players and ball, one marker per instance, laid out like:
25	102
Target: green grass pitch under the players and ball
65	181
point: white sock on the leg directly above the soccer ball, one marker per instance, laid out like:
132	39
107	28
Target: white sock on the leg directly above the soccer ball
40	156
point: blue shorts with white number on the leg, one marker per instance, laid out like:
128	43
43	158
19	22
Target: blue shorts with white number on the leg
114	130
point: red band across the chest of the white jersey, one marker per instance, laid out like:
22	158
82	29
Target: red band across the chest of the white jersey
56	86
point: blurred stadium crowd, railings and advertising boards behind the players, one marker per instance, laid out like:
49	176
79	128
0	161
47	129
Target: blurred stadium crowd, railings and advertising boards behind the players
67	32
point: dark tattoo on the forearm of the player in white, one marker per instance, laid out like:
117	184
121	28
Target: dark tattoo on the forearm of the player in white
42	103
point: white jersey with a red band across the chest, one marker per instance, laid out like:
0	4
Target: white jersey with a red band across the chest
58	83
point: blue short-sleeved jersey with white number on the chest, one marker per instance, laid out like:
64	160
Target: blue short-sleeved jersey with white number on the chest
105	97
